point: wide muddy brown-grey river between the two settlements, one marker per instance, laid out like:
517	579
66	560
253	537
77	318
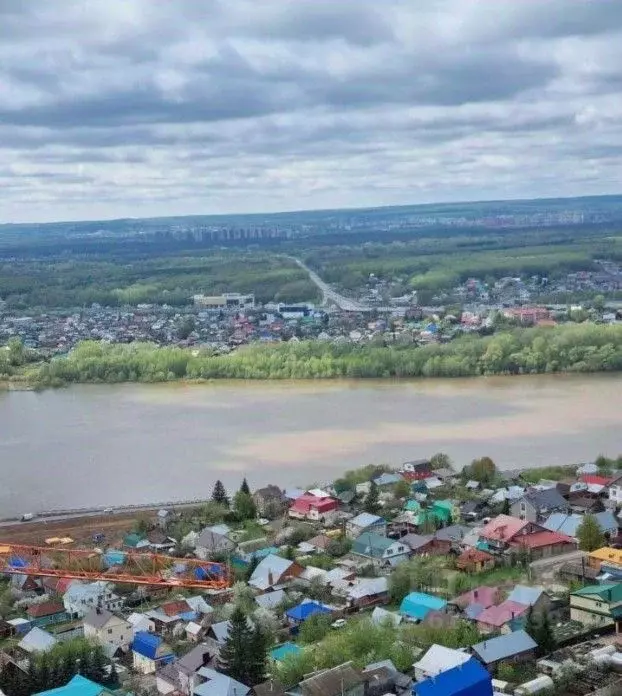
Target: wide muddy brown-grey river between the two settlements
112	445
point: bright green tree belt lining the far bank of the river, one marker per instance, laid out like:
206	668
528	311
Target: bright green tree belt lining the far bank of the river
583	347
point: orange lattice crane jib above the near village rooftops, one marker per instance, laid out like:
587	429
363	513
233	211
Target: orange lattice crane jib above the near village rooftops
113	566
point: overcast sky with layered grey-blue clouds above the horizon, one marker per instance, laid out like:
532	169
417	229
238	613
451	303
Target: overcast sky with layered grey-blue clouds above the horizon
133	108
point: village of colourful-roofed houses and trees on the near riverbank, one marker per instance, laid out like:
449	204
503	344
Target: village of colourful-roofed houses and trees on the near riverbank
419	580
